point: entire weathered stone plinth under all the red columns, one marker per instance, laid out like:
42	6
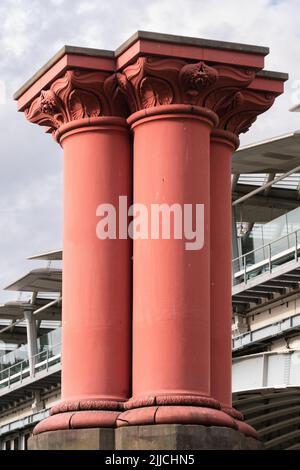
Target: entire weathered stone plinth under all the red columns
146	437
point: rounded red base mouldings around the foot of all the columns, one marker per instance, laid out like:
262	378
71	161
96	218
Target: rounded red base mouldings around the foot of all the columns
144	411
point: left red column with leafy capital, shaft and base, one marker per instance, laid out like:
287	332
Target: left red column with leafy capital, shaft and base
85	119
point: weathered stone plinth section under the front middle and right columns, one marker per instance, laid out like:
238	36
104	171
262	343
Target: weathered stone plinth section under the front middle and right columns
183	437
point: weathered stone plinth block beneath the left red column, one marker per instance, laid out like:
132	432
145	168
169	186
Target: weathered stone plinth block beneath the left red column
74	439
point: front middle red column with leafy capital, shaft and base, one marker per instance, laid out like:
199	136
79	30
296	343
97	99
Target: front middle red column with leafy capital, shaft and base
172	123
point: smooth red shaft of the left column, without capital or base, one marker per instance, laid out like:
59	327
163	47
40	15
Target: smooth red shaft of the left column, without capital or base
96	283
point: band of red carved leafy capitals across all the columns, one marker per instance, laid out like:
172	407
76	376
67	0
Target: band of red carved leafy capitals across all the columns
151	82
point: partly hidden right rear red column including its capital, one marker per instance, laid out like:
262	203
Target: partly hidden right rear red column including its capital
237	111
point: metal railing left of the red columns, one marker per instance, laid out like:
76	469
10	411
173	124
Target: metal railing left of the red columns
43	361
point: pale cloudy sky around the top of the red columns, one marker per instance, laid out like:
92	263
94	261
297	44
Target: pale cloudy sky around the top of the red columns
34	30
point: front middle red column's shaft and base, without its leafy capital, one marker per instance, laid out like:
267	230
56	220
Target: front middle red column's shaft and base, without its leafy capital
171	285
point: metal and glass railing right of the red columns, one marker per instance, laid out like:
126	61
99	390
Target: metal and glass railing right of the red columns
272	254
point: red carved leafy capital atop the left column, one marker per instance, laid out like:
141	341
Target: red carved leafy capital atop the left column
74	96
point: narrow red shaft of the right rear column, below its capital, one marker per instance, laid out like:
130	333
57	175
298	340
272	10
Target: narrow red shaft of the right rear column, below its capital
222	147
